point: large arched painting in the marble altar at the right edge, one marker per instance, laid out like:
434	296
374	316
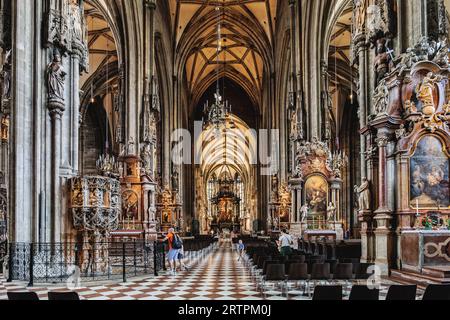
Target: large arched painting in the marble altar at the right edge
429	175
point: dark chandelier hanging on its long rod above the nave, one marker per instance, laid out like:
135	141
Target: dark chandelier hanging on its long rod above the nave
217	113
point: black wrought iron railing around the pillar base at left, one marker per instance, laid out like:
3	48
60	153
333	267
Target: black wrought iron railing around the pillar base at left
61	262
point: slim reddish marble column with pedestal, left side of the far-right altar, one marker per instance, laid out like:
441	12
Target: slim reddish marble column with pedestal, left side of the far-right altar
383	215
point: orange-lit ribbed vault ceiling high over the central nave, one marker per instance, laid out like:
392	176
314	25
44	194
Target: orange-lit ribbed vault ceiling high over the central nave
247	32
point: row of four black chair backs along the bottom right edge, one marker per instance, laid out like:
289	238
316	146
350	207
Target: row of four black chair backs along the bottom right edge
433	292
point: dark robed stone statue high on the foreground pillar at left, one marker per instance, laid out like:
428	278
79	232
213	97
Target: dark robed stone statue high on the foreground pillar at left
56	77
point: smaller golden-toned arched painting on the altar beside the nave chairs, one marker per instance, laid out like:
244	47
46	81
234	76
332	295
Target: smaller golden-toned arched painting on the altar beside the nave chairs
316	189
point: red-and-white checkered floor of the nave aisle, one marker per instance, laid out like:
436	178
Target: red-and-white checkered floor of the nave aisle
215	276
